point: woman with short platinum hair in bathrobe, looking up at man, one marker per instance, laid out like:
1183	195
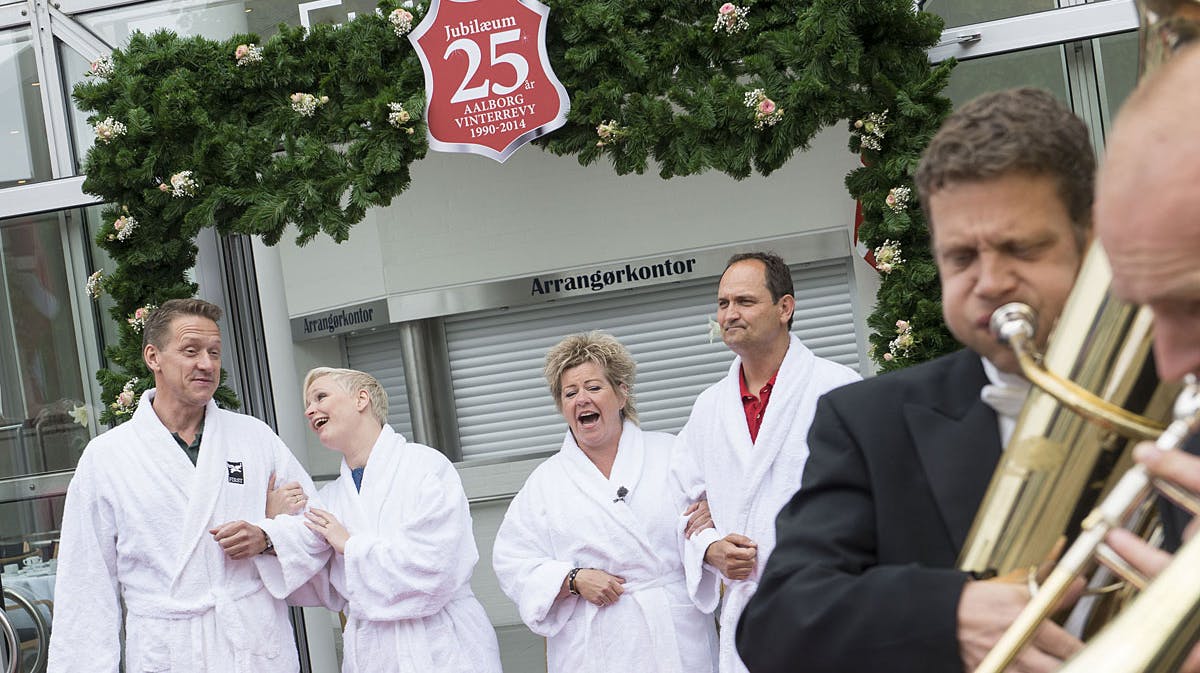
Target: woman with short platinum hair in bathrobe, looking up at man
403	540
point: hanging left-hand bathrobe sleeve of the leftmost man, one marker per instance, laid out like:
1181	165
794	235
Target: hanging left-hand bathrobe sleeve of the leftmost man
88	611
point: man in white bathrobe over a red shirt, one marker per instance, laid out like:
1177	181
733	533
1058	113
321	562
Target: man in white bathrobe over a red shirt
747	440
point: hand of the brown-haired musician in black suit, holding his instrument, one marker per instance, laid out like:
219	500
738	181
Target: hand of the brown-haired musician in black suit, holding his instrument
988	609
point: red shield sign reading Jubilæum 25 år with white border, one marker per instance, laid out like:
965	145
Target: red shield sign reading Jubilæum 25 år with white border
489	86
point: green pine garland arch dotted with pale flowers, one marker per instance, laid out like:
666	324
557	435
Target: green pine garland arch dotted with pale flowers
676	86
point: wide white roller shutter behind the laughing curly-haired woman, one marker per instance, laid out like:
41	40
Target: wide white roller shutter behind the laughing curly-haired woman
496	357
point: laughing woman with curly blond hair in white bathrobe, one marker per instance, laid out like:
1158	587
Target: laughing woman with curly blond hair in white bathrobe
591	549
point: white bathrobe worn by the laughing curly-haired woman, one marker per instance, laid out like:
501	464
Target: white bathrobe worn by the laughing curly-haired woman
565	518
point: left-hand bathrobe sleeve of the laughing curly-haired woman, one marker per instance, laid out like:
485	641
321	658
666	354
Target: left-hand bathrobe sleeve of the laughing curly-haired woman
525	562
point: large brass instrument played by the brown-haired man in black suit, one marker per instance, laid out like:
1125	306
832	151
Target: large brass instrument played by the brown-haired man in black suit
1059	464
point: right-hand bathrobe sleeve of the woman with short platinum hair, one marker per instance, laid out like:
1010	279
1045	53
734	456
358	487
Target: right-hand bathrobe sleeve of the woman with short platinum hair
422	557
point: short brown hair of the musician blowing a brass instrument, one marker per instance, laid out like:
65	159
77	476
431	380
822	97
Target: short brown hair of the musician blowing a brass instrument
1013	131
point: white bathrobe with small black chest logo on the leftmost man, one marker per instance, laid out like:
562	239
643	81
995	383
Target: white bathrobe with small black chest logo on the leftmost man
136	528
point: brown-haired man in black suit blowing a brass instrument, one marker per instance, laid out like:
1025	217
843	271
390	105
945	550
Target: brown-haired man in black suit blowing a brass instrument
865	576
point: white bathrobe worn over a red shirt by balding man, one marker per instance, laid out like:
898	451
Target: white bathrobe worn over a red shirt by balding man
748	483
